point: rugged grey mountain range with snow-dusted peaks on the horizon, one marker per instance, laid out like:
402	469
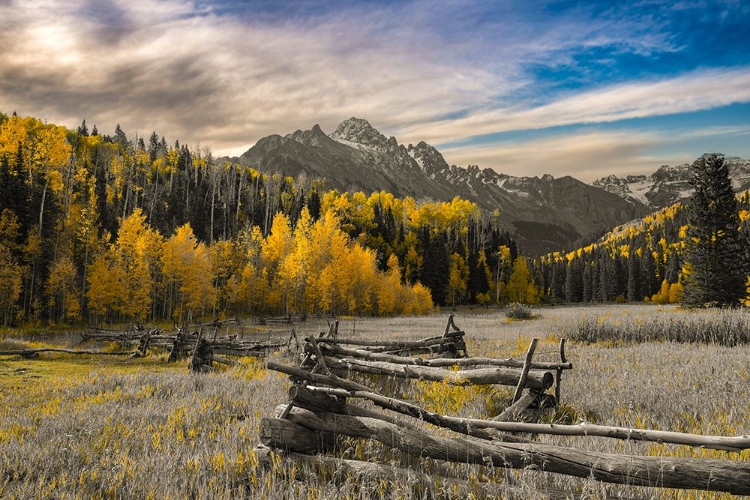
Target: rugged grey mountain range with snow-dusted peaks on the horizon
543	214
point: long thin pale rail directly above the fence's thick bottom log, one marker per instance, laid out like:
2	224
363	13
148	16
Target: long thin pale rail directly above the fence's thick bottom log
724	443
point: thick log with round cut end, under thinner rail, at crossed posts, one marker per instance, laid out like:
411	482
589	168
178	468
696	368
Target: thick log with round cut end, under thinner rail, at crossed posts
479	376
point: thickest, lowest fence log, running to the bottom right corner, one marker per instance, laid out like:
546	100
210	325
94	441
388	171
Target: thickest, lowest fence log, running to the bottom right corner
685	473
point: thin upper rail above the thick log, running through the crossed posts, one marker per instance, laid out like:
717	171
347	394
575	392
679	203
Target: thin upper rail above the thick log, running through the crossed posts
341	351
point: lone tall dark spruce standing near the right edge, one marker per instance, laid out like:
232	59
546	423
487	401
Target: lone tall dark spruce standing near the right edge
715	258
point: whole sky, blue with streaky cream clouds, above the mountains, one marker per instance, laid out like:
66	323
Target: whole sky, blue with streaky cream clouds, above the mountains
524	87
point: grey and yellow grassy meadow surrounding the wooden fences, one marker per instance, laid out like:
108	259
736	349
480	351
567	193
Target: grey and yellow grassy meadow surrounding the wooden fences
90	427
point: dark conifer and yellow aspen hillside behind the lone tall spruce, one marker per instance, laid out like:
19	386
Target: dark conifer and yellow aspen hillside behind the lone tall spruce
644	260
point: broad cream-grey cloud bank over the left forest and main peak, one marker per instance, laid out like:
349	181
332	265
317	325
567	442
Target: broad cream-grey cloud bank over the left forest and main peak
221	80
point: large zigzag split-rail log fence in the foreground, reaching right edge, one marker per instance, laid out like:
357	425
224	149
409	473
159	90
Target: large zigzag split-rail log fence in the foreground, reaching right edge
321	408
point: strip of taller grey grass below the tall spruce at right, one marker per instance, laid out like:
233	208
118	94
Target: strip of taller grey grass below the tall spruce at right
726	327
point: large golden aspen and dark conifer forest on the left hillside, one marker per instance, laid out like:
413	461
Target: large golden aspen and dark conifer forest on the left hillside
117	228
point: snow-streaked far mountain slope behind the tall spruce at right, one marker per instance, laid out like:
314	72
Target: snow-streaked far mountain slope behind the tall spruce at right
669	184
